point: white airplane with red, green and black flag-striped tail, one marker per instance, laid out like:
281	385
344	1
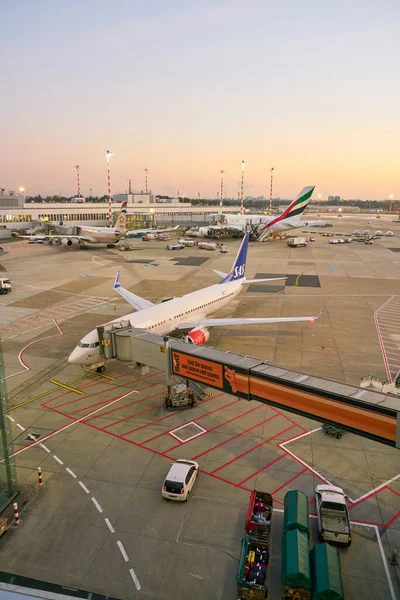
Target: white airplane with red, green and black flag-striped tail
262	225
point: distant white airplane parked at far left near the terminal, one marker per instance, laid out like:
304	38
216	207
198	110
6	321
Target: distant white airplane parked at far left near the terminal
94	235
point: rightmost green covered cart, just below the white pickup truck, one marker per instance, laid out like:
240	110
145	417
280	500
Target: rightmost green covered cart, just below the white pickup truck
326	573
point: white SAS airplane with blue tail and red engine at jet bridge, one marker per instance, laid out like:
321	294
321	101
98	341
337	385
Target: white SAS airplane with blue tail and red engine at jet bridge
187	312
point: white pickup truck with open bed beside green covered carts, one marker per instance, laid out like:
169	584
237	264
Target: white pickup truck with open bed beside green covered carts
333	516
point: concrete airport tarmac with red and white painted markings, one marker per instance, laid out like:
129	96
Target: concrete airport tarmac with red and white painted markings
99	523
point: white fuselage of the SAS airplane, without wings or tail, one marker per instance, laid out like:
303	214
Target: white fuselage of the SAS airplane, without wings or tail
162	319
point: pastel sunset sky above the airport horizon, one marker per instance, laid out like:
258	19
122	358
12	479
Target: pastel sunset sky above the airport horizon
188	88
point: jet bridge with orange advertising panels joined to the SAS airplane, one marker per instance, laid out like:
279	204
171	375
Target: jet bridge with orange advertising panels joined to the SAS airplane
368	413
